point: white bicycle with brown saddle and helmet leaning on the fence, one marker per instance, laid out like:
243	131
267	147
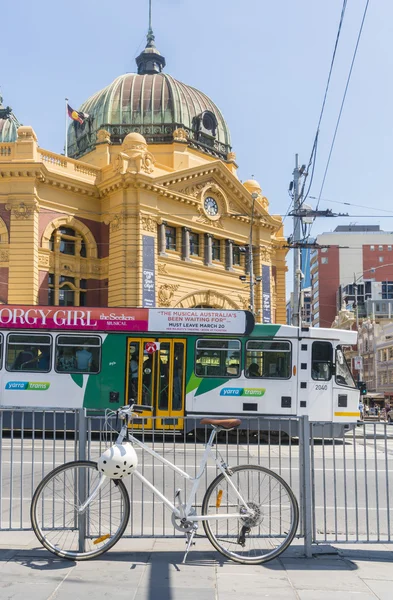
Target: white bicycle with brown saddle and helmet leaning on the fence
249	513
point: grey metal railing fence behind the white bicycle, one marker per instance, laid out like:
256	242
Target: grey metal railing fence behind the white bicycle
343	485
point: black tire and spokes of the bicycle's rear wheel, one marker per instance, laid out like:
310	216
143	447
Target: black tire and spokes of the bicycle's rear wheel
211	527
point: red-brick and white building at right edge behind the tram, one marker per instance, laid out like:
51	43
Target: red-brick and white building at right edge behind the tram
355	253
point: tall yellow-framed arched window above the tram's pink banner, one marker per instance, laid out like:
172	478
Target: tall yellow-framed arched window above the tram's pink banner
67	289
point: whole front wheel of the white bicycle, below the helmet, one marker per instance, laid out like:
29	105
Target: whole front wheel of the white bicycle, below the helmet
58	524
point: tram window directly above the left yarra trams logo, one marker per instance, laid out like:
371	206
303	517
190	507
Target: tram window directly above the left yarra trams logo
29	352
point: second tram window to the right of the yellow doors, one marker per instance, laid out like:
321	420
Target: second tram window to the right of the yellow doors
268	359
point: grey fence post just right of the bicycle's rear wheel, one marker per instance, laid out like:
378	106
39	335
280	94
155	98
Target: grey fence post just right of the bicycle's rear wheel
305	484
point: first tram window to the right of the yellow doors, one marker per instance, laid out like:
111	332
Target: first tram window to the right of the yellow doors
217	358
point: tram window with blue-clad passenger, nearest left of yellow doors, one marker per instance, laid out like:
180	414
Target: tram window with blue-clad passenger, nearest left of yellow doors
78	354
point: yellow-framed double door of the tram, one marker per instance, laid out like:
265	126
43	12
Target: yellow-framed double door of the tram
157	379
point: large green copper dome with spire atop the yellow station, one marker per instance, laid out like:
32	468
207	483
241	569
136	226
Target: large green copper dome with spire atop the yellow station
153	104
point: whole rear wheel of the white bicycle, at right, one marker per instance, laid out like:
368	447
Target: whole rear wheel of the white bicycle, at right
256	538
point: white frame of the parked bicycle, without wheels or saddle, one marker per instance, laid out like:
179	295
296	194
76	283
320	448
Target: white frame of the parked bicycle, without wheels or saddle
180	511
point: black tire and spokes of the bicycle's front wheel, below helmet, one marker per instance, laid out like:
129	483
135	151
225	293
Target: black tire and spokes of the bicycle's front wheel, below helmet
43	530
